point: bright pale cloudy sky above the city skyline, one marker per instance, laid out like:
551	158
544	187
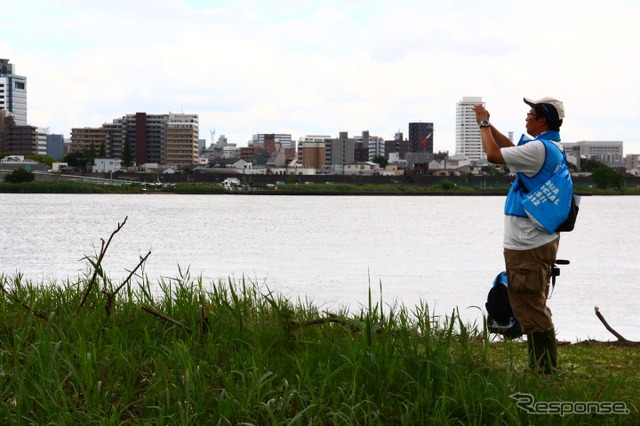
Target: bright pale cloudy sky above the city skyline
308	67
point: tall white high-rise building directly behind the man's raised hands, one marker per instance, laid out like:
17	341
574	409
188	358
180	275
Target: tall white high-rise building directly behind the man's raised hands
468	142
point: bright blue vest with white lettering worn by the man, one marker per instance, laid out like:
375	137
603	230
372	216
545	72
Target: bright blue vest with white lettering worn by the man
554	164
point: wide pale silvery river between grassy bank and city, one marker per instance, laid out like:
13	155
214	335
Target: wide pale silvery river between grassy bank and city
330	250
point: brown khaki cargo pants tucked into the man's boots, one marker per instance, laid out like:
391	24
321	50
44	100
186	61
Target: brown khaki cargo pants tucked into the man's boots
529	275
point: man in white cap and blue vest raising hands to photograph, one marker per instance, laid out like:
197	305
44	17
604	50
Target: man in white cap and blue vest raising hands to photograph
529	250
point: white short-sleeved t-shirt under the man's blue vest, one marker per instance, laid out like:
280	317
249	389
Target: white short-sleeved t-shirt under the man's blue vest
519	232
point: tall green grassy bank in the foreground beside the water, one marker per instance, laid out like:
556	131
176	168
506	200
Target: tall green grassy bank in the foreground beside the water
188	352
